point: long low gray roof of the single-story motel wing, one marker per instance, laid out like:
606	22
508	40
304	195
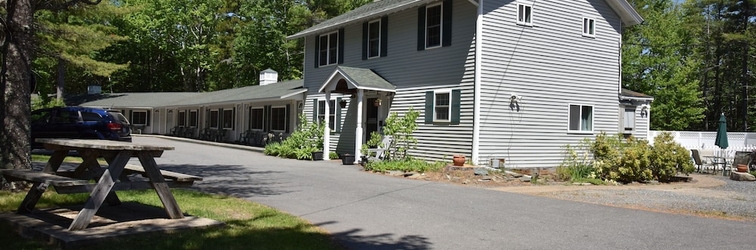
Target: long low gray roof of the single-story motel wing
275	91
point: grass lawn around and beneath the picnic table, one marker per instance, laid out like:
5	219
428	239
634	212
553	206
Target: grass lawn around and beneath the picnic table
248	225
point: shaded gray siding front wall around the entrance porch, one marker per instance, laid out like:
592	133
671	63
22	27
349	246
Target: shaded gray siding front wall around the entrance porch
412	72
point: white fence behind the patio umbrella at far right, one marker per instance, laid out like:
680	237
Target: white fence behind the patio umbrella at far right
737	141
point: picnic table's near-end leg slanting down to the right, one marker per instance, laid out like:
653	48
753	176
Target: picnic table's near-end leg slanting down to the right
158	182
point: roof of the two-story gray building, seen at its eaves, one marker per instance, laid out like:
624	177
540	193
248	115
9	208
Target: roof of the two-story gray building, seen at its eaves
373	10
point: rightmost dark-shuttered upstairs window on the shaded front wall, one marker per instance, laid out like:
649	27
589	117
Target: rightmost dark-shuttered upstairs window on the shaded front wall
434	25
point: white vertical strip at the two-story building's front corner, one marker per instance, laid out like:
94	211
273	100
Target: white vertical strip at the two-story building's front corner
477	87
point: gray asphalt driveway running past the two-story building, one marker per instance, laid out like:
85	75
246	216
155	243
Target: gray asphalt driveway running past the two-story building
369	211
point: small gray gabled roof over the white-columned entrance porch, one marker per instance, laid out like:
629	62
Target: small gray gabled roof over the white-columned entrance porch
359	78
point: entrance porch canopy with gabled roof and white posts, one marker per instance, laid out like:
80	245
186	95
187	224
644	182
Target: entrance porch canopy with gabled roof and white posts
349	80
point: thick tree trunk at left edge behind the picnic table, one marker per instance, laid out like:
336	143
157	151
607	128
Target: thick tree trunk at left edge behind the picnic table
16	81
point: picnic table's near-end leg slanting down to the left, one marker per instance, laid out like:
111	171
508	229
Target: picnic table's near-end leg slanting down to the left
101	190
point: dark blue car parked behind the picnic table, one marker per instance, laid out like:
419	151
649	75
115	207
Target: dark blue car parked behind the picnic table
79	123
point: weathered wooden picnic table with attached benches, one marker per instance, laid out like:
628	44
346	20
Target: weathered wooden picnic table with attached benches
108	179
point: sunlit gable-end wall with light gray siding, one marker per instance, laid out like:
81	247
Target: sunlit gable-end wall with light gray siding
550	65
